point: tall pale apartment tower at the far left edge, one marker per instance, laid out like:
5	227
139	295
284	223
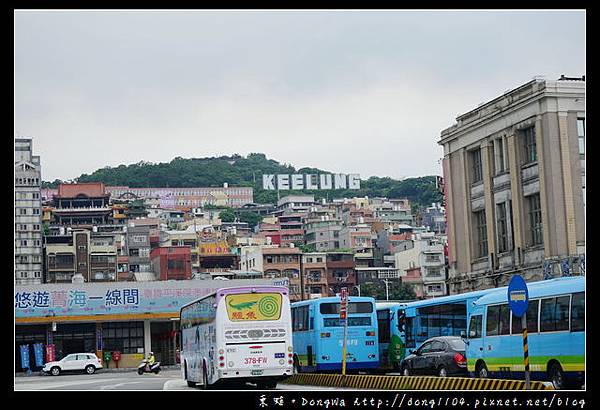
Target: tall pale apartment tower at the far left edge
28	214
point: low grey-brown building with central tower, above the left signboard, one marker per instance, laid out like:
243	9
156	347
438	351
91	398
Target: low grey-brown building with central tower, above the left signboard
93	255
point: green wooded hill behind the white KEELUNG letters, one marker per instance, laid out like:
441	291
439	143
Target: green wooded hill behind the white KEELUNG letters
247	171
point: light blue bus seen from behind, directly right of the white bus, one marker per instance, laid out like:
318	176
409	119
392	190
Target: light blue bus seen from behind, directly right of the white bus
318	335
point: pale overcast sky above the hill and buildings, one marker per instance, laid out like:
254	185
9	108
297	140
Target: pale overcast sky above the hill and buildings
363	92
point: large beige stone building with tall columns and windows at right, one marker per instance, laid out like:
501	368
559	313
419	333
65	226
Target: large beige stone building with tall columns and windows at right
514	172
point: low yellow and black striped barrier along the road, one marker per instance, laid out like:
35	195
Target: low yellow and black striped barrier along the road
411	382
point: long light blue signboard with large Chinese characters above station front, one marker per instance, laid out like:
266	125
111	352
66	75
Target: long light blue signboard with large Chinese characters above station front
97	299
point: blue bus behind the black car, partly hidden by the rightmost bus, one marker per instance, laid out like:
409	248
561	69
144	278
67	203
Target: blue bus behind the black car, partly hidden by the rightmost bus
443	316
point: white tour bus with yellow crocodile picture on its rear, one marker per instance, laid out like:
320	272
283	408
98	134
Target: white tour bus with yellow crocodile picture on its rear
241	334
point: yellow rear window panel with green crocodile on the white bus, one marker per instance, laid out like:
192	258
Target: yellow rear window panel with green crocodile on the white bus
253	306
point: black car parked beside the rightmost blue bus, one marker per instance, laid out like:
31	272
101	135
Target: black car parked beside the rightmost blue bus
442	356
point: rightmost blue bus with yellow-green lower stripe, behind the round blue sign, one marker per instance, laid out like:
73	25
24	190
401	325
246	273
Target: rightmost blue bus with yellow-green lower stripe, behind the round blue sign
555	327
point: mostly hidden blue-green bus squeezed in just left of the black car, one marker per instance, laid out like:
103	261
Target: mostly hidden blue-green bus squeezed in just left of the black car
392	336
